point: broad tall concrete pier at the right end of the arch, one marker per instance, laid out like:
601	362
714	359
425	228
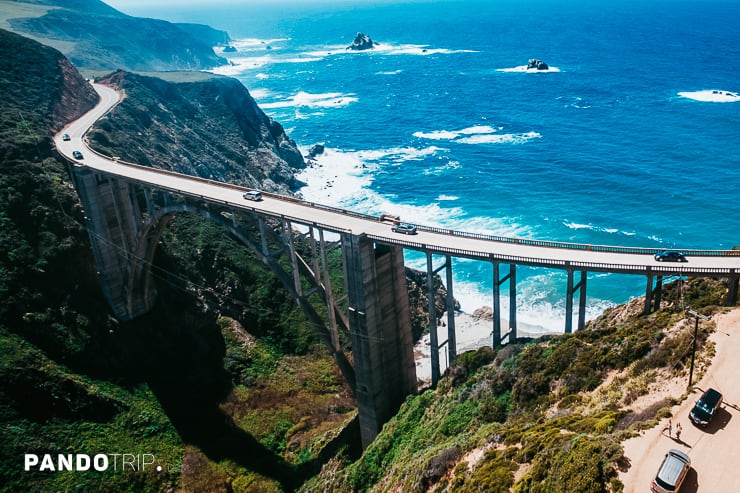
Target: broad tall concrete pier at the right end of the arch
380	331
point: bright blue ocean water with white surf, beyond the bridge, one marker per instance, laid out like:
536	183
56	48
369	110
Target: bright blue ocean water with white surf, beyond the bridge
631	138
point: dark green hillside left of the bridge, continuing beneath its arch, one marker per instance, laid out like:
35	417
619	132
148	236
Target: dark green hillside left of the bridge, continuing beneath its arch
221	408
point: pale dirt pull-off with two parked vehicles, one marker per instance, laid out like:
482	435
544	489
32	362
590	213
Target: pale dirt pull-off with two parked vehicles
714	451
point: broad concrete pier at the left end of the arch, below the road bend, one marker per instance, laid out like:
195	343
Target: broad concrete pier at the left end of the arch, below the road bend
114	223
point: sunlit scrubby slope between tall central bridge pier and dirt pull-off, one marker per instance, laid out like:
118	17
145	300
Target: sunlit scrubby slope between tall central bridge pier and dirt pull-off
545	416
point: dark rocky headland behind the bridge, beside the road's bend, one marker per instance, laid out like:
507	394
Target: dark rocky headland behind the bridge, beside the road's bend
211	128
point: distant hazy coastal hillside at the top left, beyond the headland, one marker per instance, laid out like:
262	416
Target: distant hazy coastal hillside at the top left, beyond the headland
95	36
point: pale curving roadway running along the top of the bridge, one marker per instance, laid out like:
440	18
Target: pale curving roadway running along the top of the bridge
335	220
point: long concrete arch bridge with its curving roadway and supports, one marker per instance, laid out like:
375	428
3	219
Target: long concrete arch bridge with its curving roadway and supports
128	207
